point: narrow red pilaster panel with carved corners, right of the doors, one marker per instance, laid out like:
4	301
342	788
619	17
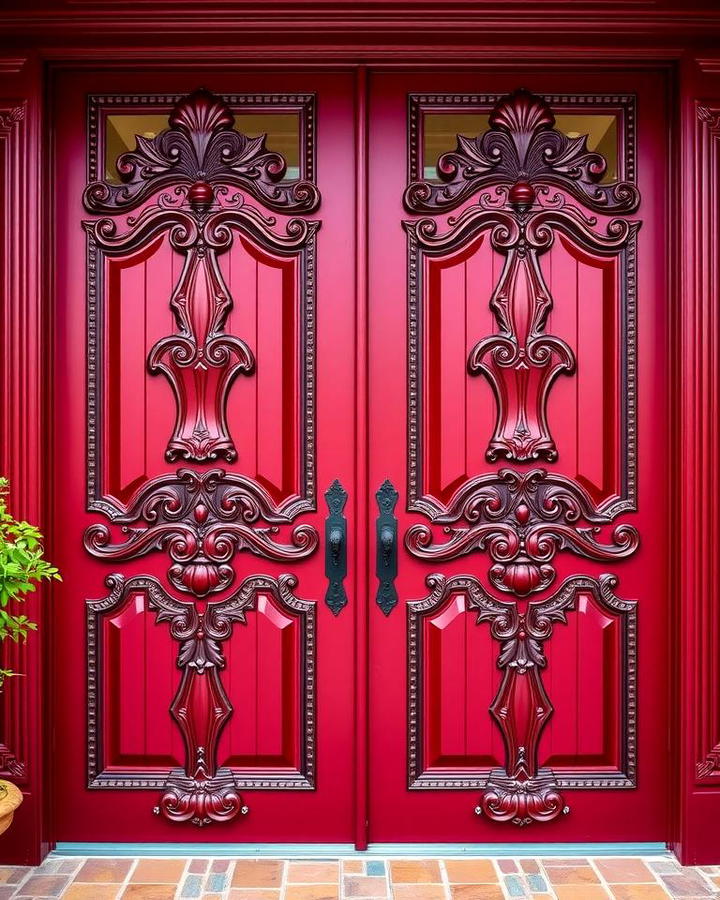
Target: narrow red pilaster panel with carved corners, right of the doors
698	462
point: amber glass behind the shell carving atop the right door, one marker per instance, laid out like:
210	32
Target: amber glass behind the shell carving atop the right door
440	130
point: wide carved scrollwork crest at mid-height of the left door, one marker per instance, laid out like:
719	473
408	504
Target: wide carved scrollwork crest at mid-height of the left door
201	519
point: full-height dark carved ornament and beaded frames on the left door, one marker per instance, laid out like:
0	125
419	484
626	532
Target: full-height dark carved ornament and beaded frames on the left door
191	185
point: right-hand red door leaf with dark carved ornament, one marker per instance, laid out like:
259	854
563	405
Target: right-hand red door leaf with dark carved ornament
518	417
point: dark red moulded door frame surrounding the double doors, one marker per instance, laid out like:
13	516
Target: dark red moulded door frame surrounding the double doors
692	72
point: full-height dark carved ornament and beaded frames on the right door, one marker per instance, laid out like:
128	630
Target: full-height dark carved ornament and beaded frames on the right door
522	183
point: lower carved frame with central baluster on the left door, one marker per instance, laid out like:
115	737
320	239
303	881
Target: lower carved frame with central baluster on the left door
201	792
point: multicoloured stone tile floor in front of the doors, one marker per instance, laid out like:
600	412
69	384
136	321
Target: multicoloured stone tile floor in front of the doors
459	878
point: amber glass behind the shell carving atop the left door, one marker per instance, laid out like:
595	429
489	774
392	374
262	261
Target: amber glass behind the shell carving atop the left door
282	129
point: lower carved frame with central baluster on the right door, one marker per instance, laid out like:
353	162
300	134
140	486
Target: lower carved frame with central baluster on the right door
521	791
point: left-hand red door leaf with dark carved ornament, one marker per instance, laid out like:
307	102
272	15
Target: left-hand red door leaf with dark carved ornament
203	399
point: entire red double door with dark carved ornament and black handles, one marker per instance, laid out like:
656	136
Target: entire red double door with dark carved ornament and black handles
360	458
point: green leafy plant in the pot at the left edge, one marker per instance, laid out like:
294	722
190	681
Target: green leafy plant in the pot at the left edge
22	567
